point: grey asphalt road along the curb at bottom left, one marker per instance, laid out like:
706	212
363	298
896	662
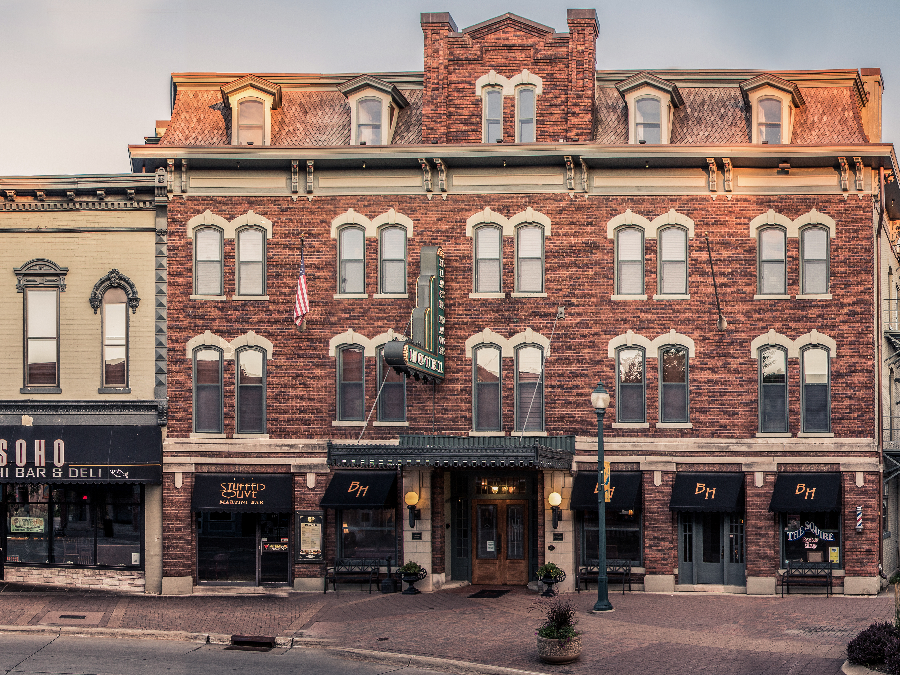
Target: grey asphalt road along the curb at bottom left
39	655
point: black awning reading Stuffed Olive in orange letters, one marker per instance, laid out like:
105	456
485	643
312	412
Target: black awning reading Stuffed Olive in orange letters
247	492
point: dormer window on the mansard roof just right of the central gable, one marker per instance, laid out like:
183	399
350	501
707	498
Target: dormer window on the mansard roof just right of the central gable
651	103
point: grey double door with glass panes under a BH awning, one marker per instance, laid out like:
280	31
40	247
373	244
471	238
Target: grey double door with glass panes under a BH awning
711	549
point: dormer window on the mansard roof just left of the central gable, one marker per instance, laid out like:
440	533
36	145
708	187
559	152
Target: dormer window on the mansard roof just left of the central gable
374	108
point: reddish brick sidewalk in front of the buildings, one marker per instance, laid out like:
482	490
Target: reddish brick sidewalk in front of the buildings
685	633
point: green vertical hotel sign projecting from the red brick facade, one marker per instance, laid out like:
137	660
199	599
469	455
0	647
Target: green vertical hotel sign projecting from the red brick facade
423	356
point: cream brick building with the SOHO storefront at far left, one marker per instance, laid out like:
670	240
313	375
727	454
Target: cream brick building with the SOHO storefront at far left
82	381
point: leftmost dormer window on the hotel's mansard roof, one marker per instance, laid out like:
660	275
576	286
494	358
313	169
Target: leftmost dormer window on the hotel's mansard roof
252	100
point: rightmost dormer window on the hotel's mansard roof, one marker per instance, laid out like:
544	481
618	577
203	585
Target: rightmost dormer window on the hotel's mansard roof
772	102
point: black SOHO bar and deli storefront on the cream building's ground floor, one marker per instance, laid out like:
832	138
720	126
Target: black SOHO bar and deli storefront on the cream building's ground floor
82	502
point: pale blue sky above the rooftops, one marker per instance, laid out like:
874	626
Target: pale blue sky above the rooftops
84	78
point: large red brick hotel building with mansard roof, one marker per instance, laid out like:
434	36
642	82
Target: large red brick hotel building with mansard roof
483	242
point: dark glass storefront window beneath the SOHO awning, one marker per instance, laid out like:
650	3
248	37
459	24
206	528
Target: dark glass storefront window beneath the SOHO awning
81	526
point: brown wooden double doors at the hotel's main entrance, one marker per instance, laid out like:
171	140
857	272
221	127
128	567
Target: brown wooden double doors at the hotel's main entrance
500	553
